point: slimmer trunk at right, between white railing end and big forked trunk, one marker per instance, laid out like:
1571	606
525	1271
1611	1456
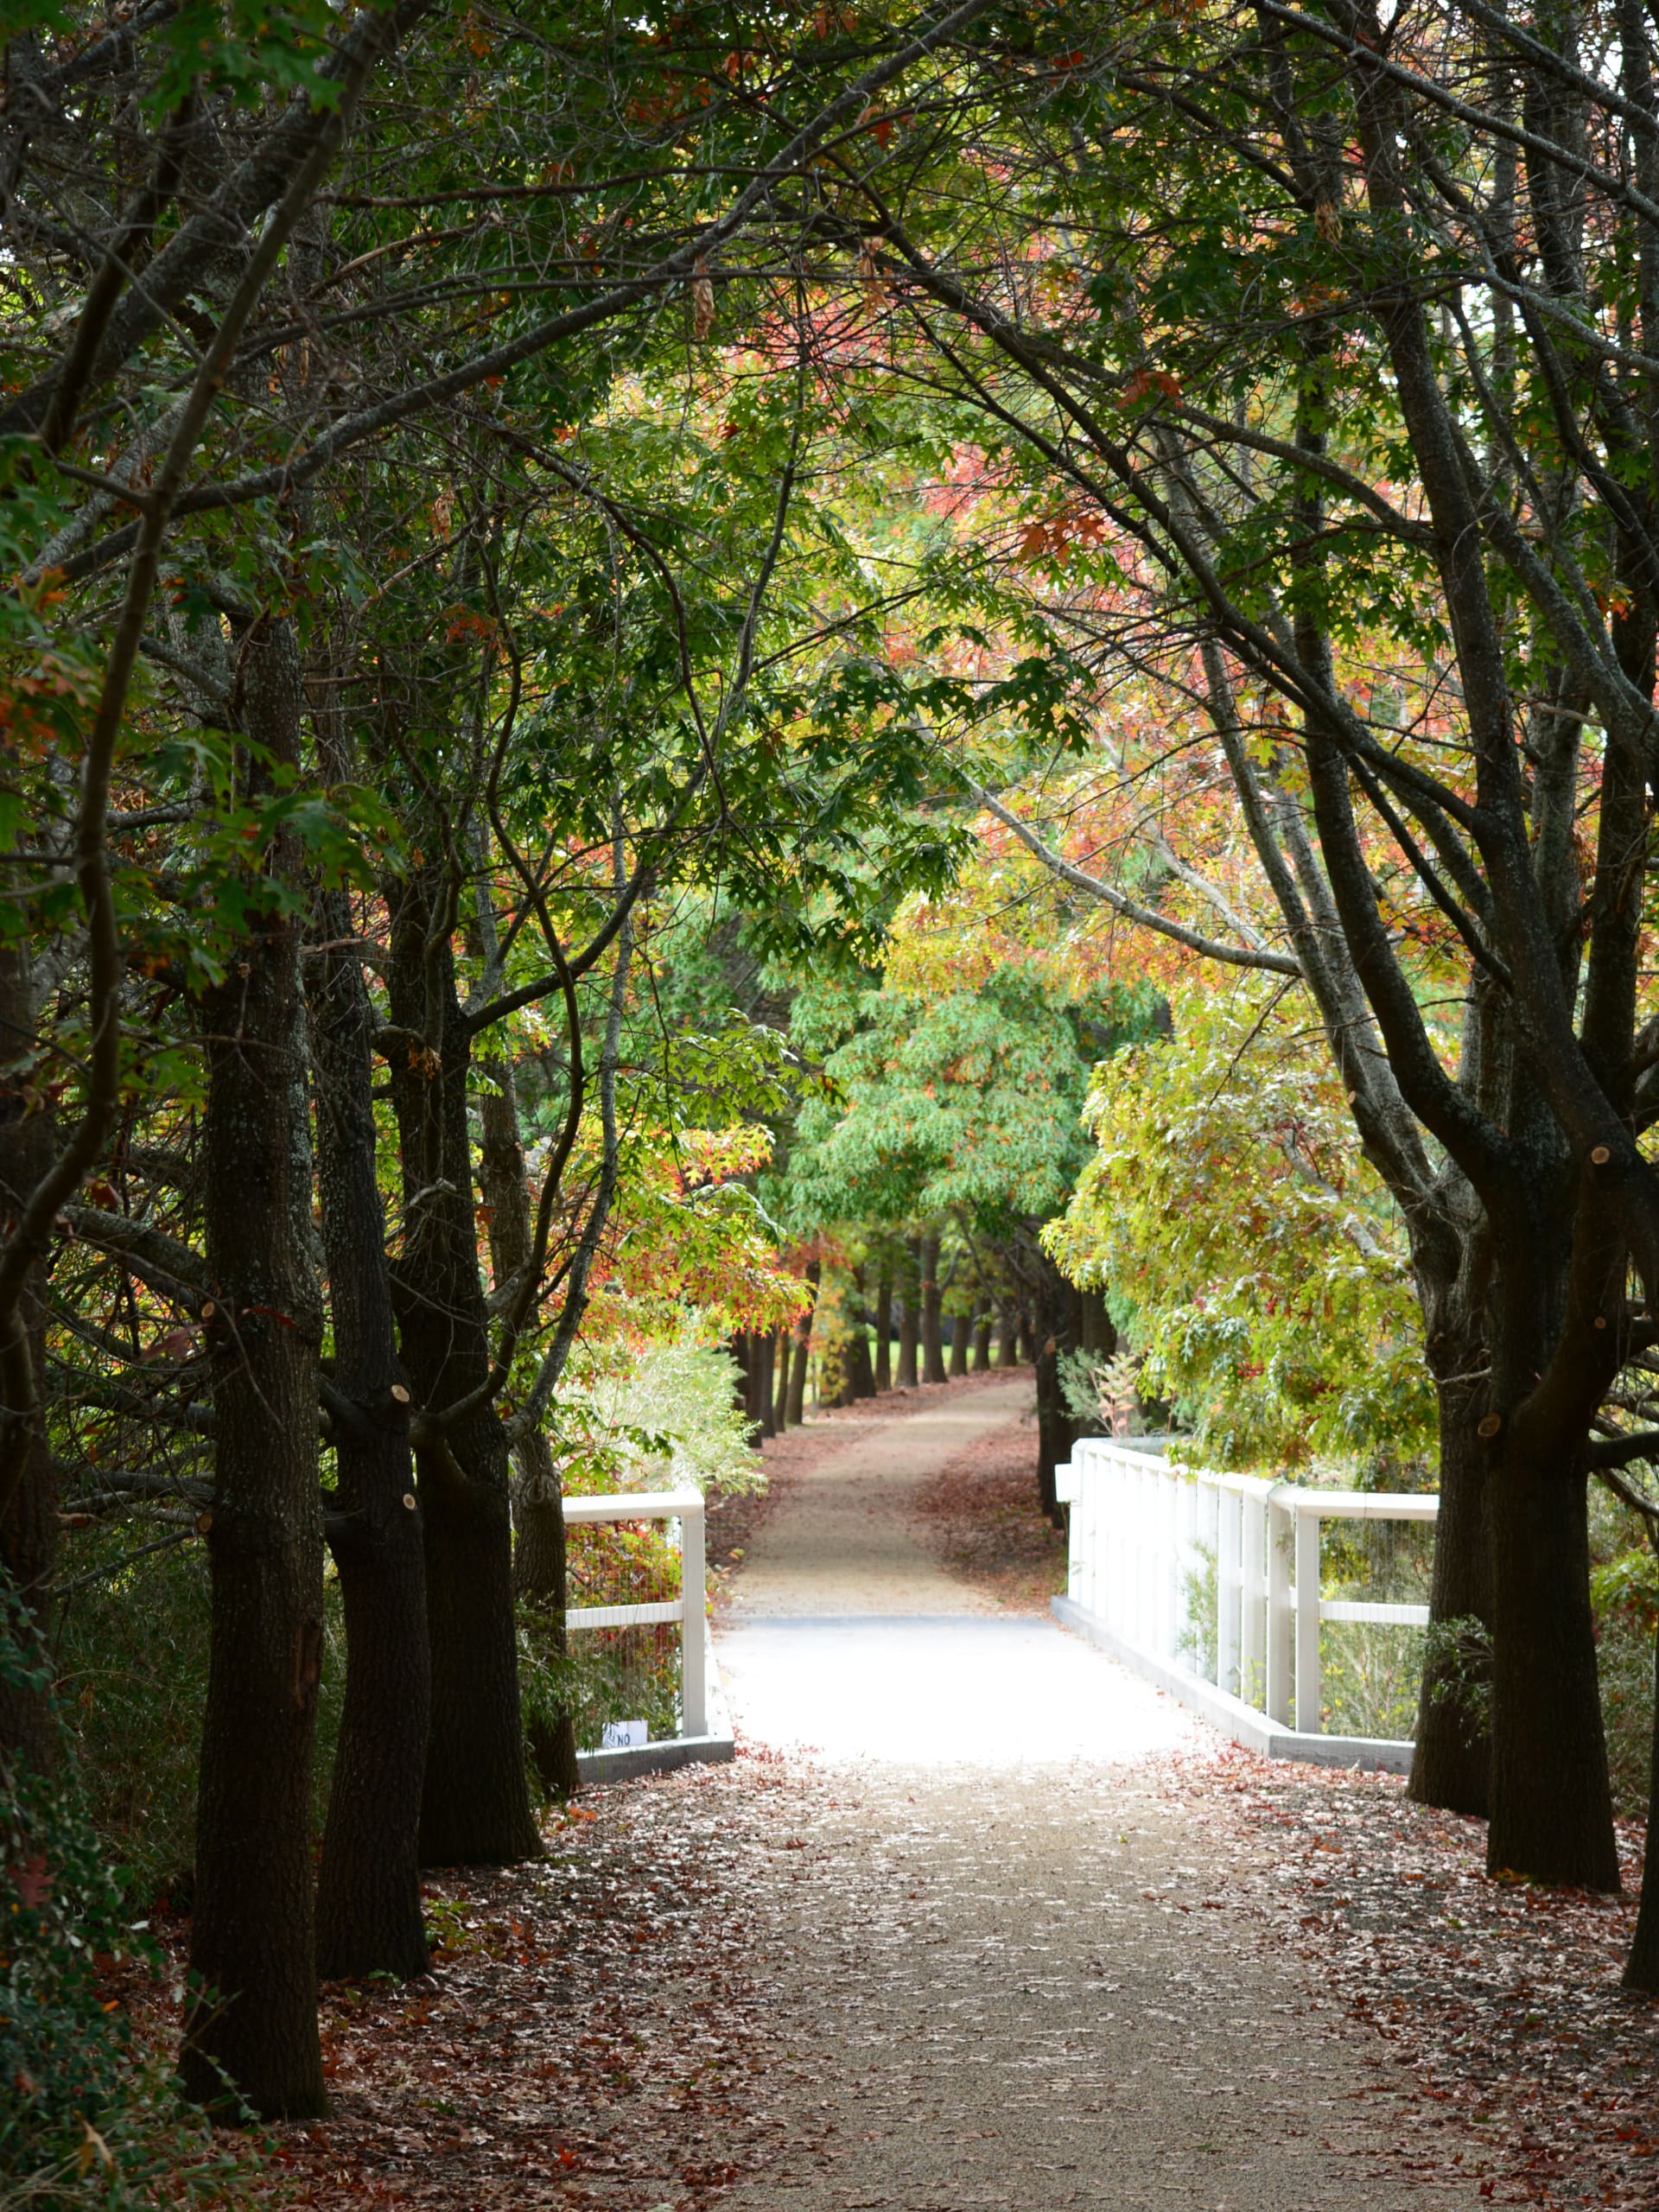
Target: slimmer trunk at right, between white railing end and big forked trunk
1452	1757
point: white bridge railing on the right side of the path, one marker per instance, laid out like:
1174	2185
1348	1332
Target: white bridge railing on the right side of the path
1156	1547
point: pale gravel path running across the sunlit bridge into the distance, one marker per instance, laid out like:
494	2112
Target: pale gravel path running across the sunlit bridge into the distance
1003	1945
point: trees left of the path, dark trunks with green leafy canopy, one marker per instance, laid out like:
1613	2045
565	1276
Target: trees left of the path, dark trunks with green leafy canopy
390	678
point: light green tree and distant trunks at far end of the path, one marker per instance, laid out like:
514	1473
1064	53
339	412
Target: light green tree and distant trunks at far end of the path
959	1105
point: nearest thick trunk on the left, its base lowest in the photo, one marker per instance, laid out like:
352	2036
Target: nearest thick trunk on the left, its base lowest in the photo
253	1939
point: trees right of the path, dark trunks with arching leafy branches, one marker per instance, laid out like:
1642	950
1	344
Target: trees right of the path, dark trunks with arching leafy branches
1308	362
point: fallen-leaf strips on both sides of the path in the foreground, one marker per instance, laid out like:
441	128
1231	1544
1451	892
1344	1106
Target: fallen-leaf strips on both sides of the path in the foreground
603	2030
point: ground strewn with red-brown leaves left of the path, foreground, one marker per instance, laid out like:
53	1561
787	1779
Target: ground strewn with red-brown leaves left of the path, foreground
594	2030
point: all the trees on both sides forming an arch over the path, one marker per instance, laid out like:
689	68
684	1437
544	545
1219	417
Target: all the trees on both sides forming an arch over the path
457	567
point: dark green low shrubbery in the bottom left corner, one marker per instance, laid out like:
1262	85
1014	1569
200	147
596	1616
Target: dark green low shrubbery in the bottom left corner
87	2116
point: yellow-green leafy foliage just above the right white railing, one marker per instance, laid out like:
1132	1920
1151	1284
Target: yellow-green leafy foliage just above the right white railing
1246	1246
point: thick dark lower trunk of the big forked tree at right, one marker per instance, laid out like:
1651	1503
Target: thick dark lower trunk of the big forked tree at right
1552	1808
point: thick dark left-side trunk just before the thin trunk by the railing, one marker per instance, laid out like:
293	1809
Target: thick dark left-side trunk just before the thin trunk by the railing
477	1802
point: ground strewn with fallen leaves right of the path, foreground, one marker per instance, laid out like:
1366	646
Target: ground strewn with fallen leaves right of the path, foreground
1534	2072
